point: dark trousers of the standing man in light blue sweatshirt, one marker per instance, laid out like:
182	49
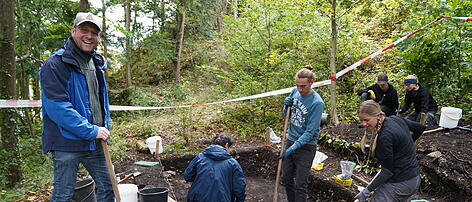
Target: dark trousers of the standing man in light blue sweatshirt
295	171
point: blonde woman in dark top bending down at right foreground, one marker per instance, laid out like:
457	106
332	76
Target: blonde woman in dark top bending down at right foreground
399	177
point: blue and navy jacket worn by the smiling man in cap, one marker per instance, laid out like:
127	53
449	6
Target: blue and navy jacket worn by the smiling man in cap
67	116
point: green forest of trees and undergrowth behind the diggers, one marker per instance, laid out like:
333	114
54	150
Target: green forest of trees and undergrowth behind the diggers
201	51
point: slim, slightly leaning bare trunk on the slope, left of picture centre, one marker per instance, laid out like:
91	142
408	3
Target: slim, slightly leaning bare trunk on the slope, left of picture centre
180	37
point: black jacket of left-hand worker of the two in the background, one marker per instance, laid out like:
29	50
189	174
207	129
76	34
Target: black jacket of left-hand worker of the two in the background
388	99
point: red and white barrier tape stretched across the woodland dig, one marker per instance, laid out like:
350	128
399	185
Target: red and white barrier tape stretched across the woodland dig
37	103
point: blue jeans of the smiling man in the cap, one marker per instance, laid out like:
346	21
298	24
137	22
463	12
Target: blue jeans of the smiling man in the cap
66	165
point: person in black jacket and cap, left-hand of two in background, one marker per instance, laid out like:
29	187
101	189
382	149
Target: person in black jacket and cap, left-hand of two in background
383	93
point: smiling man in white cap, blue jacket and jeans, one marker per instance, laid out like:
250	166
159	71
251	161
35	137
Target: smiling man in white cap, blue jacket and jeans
75	110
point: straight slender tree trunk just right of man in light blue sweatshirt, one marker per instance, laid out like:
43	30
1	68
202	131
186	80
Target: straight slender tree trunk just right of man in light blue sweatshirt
332	64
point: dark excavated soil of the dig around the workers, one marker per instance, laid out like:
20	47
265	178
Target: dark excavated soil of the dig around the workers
445	160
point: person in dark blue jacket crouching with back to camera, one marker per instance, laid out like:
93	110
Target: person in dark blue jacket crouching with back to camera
215	174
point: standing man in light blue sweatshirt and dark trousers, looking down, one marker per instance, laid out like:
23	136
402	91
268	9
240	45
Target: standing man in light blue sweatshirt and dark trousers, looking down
307	107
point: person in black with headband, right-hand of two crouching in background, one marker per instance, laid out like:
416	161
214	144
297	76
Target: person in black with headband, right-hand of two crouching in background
423	102
